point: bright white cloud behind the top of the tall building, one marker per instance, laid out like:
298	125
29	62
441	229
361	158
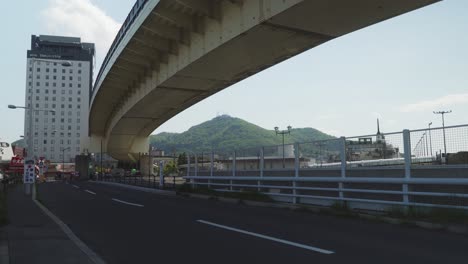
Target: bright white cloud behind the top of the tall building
81	18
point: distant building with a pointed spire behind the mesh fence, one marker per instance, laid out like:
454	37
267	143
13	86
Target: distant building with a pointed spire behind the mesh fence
366	149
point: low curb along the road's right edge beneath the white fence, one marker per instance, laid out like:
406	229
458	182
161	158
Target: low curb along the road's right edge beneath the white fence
454	228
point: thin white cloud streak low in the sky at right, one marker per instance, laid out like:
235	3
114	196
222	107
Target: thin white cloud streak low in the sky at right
430	105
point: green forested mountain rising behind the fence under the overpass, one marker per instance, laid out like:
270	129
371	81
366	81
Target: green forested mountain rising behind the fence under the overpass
226	134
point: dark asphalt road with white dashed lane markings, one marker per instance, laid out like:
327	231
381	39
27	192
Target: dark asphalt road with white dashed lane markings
126	226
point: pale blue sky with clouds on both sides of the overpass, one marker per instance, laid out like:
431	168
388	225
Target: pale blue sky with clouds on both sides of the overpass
400	71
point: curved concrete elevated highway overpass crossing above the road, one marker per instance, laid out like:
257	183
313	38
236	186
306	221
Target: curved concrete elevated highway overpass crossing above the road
171	54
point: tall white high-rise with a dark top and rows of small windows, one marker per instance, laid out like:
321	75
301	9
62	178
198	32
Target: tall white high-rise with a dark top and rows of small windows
58	86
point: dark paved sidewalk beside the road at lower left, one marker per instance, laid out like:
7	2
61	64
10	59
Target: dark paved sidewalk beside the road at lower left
33	237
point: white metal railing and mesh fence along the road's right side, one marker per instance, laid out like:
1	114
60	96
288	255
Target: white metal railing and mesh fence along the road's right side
408	168
